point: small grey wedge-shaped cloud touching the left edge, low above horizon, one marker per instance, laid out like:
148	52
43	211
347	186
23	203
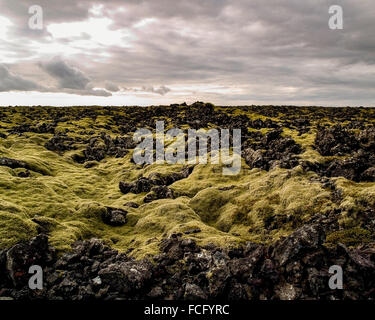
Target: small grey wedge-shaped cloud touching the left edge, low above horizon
12	82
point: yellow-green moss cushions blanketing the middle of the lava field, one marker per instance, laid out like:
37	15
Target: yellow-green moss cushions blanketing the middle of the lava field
255	205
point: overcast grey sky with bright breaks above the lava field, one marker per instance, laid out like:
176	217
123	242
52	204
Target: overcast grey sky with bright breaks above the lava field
143	52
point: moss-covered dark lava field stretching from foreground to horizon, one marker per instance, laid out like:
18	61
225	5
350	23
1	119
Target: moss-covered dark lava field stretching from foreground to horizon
102	227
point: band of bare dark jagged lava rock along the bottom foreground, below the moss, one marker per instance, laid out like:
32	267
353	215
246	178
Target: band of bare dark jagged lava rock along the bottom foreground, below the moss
293	268
